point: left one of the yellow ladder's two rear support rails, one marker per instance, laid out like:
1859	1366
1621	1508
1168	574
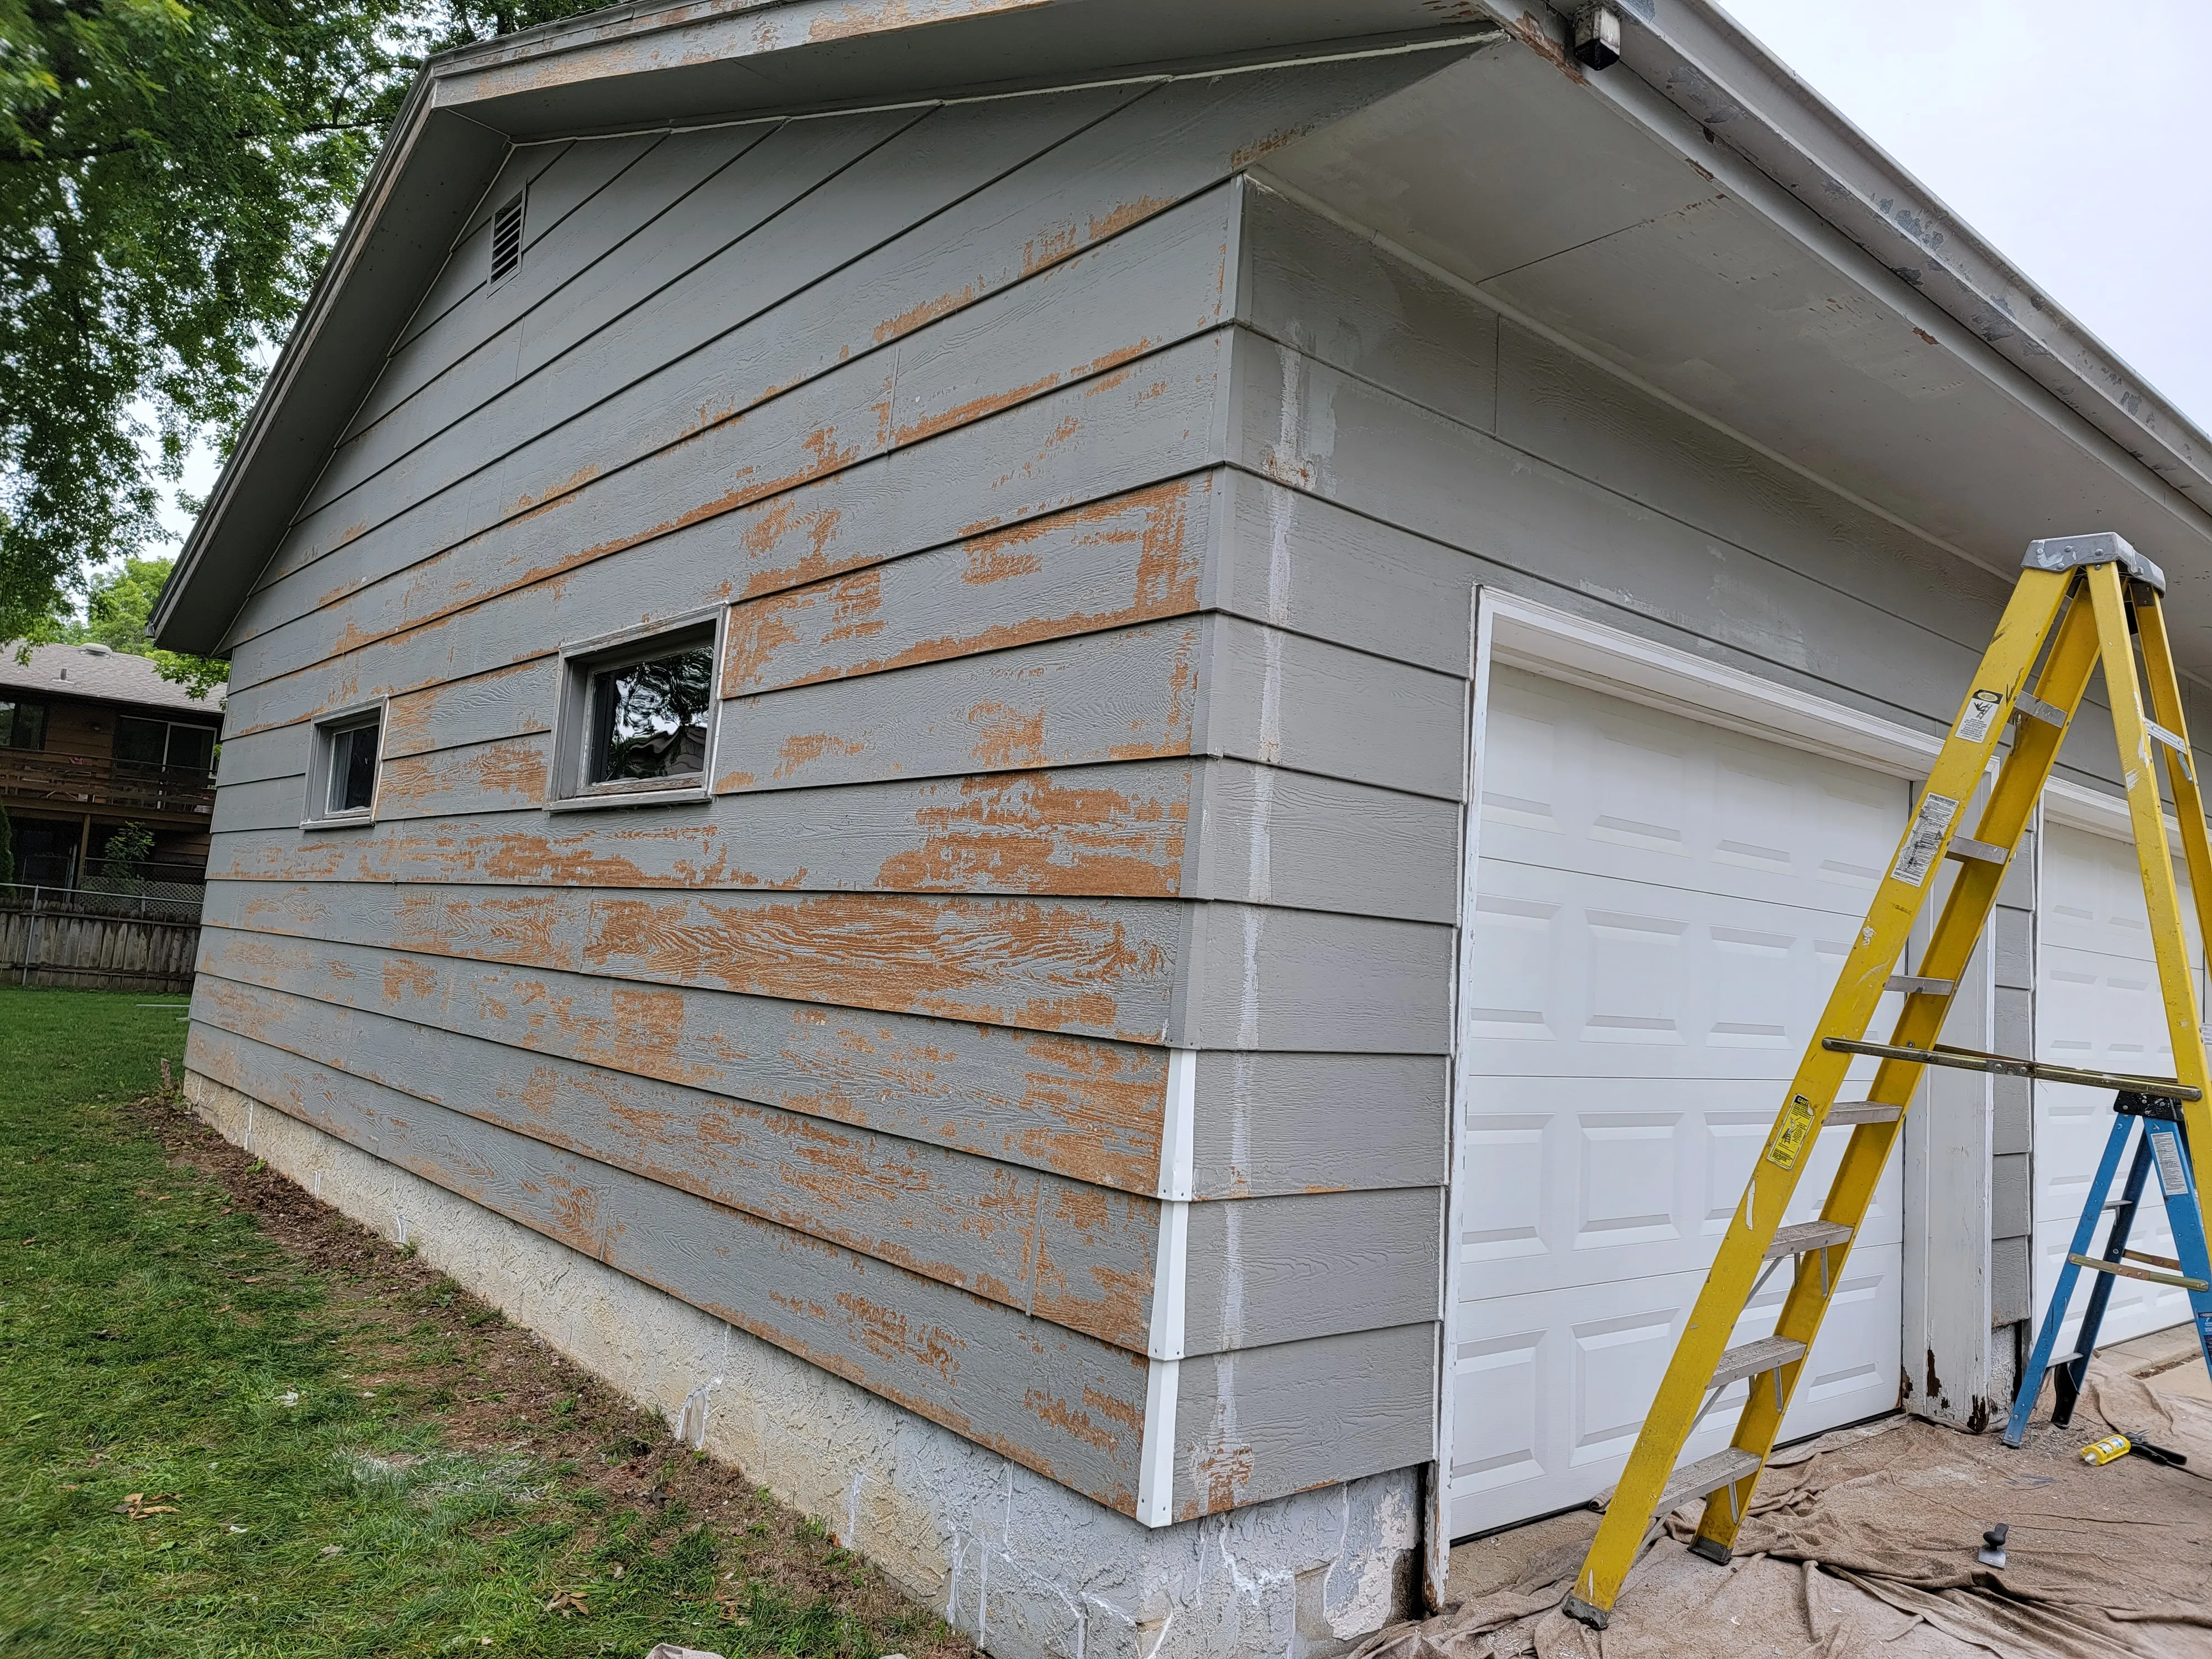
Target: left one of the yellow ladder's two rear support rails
2147	815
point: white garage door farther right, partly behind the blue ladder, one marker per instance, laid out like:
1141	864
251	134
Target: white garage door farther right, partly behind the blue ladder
2096	1005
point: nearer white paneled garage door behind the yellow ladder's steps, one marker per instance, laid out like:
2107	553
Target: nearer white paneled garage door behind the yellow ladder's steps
1662	910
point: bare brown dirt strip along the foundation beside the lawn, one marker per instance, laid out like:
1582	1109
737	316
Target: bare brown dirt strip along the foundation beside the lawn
424	1344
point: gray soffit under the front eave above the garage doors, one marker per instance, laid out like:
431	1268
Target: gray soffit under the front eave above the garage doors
1673	262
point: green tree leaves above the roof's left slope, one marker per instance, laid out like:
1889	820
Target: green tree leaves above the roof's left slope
171	182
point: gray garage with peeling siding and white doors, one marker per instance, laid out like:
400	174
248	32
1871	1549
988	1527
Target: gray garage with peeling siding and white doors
864	640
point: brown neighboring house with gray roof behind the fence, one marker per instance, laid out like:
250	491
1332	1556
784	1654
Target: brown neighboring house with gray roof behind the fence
94	740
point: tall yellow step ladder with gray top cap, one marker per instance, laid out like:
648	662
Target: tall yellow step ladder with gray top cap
2080	601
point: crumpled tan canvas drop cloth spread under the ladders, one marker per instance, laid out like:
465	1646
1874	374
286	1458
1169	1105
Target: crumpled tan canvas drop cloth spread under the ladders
1861	1545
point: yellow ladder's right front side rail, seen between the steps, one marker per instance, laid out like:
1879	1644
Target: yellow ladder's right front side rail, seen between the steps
2067	669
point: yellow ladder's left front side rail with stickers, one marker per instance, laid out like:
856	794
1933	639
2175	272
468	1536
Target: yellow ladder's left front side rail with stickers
2003	674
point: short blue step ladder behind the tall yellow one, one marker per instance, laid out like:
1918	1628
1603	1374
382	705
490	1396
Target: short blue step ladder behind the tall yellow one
2164	1151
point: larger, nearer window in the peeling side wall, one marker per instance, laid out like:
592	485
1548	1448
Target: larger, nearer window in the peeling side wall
640	716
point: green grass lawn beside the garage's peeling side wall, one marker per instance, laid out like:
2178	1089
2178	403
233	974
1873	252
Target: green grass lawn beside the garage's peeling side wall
163	1353
